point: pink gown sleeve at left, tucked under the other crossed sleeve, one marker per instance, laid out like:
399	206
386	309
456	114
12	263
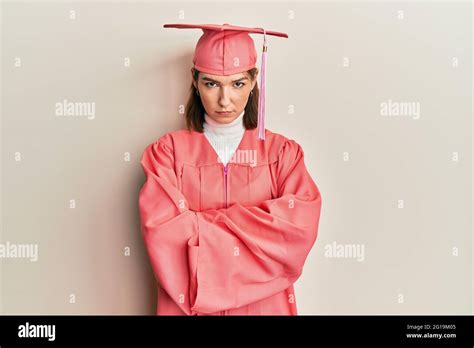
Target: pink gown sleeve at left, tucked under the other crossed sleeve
166	223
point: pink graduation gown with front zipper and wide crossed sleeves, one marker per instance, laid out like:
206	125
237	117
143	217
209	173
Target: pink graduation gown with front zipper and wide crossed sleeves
227	240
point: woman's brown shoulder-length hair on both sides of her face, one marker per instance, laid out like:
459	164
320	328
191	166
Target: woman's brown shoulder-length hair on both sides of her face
195	110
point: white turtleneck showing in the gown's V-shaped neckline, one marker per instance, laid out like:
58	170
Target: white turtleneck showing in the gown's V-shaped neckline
224	137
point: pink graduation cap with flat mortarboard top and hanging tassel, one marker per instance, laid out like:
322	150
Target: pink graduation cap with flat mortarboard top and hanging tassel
228	49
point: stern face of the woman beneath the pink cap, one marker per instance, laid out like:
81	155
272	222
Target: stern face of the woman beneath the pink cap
224	93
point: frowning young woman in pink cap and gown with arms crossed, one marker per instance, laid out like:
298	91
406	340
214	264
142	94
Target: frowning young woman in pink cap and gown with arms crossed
228	211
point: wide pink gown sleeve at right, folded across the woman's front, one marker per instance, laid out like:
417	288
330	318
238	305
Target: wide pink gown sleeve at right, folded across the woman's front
248	253
